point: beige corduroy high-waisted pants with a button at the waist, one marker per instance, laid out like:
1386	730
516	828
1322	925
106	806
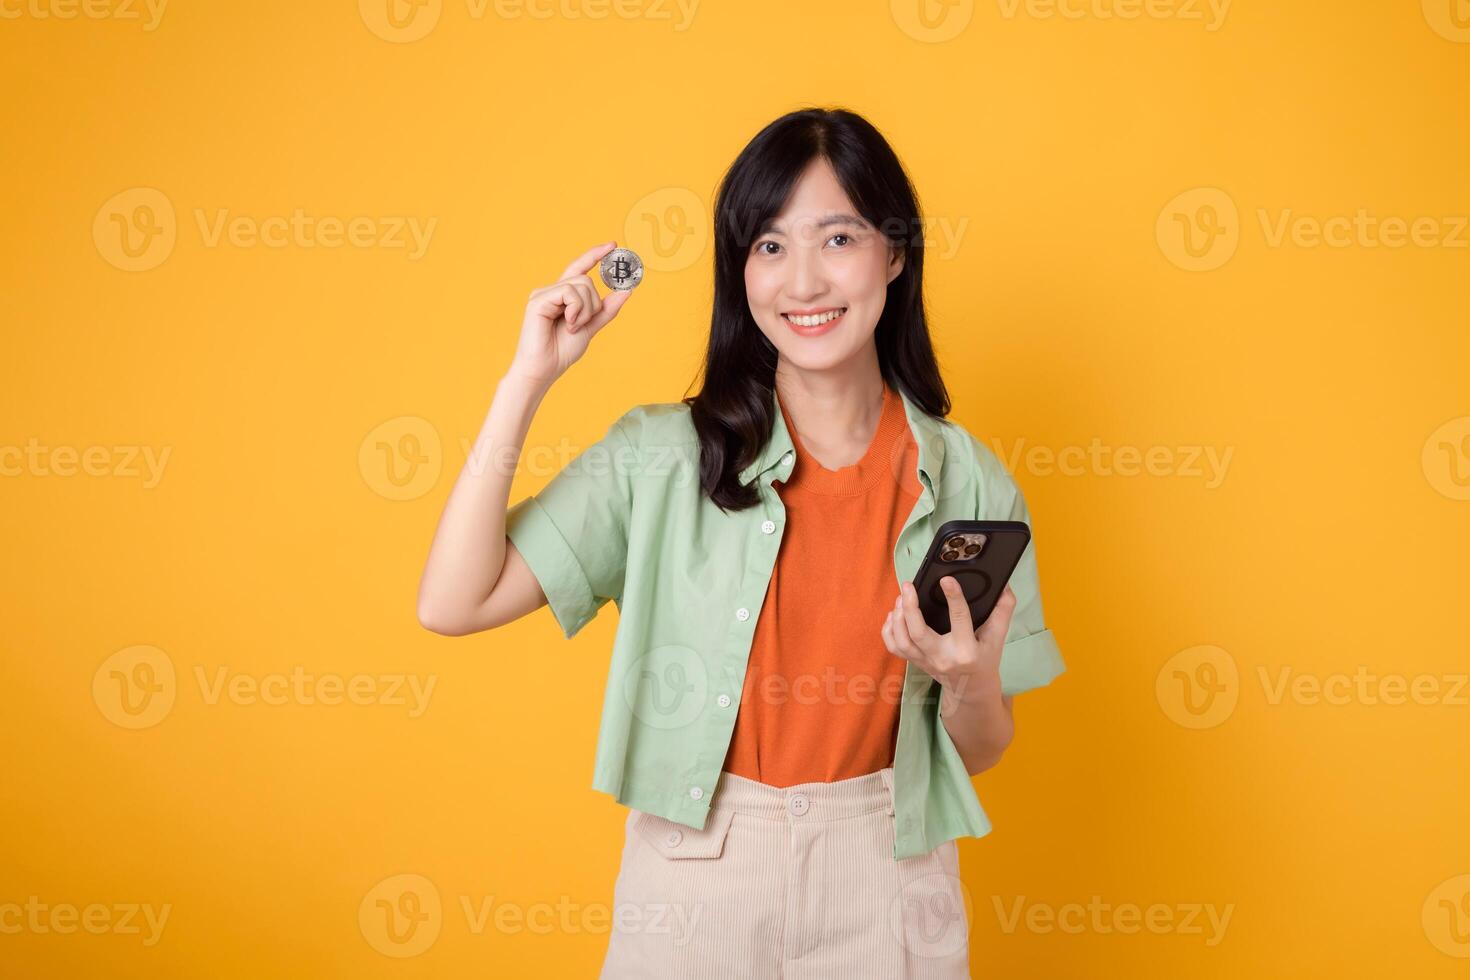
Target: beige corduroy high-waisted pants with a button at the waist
792	884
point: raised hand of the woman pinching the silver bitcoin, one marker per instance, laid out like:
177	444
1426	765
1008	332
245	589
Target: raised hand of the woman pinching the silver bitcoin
562	320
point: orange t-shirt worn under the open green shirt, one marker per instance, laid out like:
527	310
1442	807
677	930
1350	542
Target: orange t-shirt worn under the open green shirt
822	693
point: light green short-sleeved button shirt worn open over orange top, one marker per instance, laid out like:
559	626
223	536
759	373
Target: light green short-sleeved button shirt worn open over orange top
627	521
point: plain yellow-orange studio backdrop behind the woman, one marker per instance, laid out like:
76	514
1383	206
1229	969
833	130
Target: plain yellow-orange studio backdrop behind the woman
277	537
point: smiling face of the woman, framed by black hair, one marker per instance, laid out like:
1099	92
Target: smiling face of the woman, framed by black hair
817	259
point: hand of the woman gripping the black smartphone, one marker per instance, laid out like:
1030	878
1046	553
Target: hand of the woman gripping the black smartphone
959	659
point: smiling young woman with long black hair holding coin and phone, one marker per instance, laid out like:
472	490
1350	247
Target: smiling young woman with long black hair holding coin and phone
793	741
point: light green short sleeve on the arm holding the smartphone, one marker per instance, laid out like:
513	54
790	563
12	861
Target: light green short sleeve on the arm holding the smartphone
1031	657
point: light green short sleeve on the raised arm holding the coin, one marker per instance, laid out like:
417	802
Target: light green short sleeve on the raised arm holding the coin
574	534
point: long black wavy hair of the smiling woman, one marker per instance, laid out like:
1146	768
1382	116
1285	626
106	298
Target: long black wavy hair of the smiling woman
733	412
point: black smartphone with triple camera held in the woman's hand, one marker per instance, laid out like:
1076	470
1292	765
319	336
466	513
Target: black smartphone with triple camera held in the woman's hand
981	556
